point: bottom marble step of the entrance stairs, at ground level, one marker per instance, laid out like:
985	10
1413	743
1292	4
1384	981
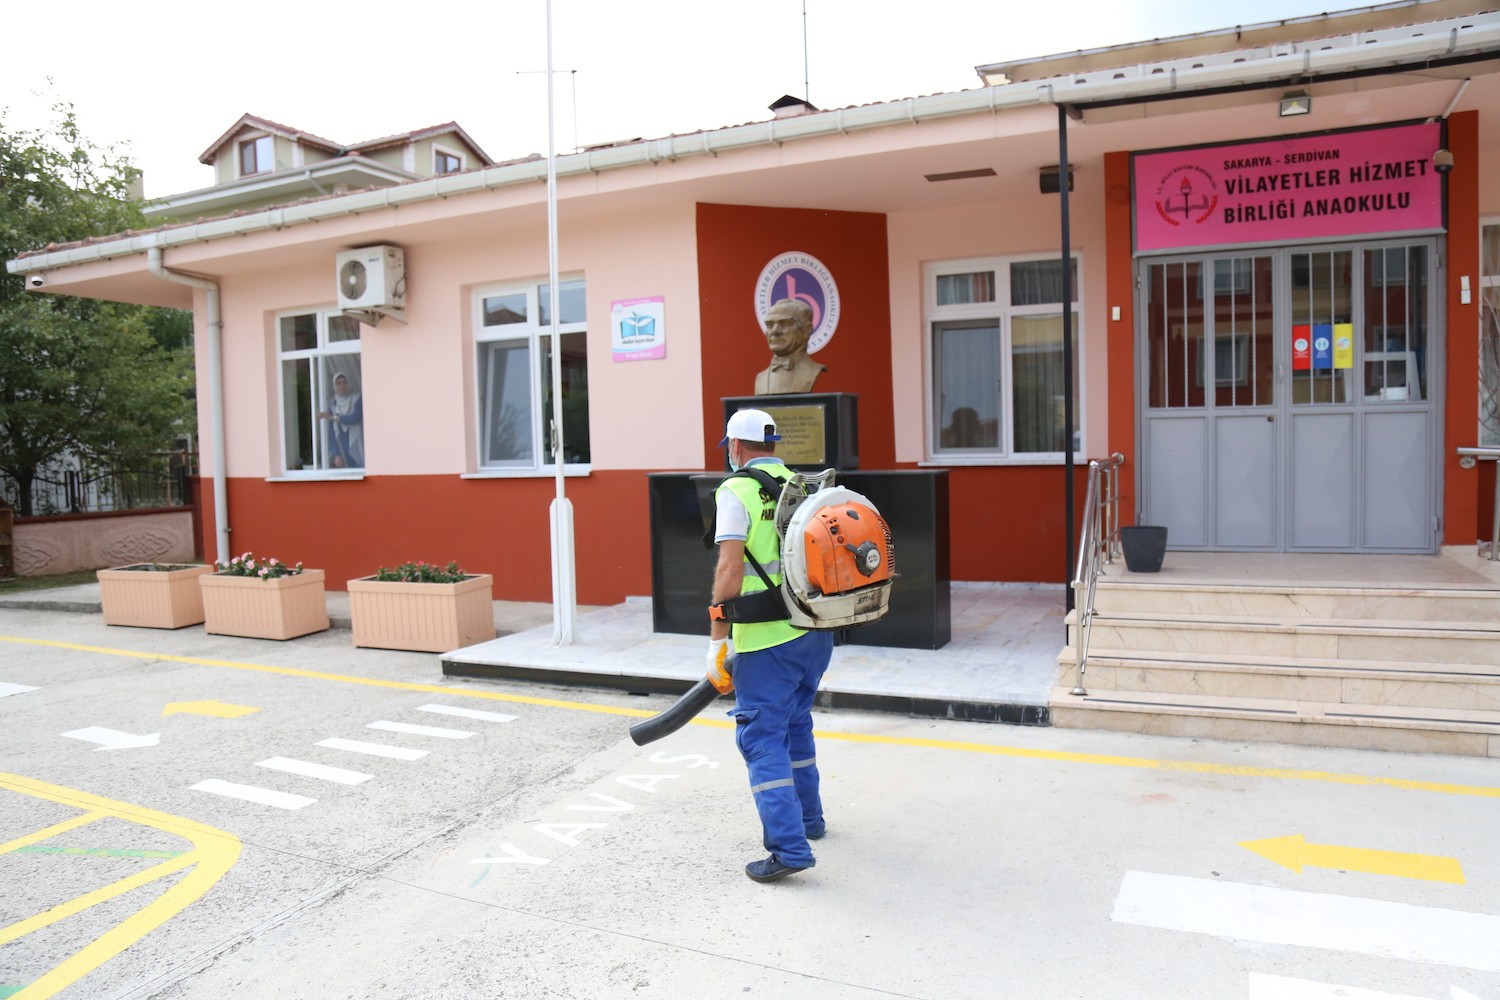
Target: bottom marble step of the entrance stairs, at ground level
1468	732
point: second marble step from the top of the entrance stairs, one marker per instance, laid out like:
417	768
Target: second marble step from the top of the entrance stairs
1273	638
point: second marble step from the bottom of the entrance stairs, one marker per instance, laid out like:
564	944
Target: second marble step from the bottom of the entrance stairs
1384	683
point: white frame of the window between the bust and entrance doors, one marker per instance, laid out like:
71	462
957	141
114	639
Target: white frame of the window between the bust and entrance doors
1001	313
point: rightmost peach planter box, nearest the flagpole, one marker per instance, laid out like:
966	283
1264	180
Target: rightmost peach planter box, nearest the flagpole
424	617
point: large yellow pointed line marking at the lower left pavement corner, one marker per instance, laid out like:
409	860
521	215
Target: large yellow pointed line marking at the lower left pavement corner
214	854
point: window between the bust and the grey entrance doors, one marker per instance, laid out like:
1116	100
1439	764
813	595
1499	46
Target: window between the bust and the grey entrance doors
997	359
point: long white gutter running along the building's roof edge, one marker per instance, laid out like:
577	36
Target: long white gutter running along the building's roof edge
1438	41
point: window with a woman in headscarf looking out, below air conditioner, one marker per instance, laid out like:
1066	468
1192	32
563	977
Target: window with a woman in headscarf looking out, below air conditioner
323	398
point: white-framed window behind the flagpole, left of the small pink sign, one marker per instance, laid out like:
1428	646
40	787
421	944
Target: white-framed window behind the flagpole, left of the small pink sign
515	376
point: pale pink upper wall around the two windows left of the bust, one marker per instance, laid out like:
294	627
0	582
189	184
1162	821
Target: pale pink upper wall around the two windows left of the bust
419	380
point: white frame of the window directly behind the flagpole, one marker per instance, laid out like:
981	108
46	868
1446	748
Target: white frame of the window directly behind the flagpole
539	346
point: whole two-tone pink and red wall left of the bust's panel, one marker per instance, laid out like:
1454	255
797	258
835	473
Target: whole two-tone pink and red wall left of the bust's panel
419	383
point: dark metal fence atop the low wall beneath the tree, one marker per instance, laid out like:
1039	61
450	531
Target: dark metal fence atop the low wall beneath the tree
80	491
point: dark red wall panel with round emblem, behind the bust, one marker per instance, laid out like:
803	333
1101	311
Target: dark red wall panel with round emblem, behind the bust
734	244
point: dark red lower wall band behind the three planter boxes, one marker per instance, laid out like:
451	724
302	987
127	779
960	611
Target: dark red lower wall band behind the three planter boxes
499	527
